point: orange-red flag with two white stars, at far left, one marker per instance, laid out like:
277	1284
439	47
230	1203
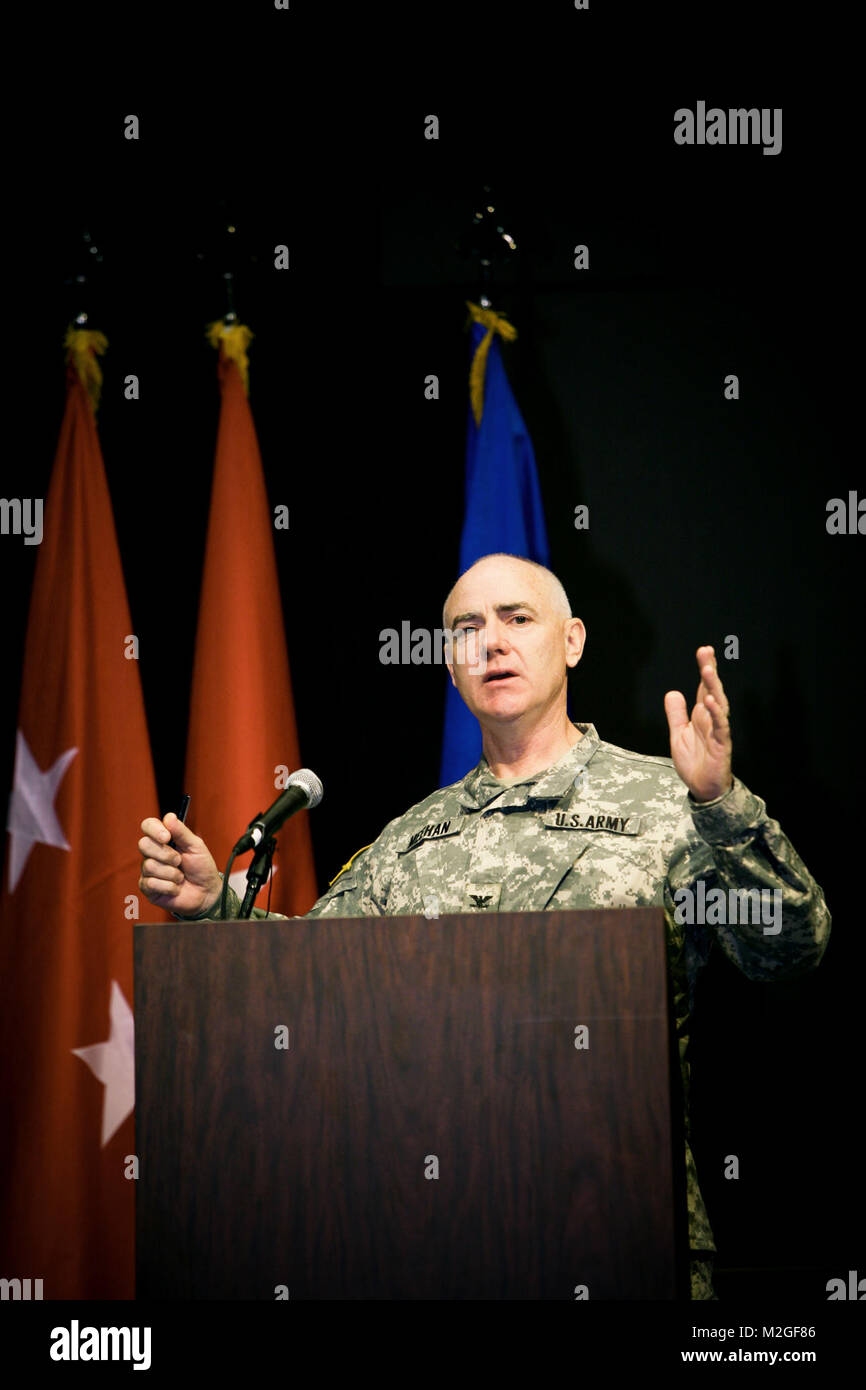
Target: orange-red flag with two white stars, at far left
83	783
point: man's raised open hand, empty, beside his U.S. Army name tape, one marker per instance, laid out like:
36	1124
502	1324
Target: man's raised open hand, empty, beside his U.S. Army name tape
701	746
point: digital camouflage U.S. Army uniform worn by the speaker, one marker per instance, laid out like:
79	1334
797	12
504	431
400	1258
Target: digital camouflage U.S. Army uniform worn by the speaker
604	828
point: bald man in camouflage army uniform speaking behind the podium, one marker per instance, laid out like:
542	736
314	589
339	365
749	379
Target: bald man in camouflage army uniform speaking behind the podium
555	818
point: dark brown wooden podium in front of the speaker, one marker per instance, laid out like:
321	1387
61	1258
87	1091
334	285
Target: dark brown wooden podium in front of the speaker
397	1109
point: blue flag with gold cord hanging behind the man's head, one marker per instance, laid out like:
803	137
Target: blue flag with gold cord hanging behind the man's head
504	512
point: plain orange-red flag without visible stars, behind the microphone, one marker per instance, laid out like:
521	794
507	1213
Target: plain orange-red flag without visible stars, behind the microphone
243	733
